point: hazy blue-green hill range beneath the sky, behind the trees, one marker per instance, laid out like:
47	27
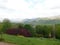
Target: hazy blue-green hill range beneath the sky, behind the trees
47	20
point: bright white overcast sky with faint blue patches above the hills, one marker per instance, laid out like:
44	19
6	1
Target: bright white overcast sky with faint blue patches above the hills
21	9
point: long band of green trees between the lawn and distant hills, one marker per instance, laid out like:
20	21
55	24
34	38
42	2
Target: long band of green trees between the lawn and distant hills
45	31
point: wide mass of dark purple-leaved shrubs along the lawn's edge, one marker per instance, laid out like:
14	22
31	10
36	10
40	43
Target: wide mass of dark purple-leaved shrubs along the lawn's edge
22	31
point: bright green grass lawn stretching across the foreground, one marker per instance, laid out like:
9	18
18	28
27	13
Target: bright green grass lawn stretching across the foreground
30	41
